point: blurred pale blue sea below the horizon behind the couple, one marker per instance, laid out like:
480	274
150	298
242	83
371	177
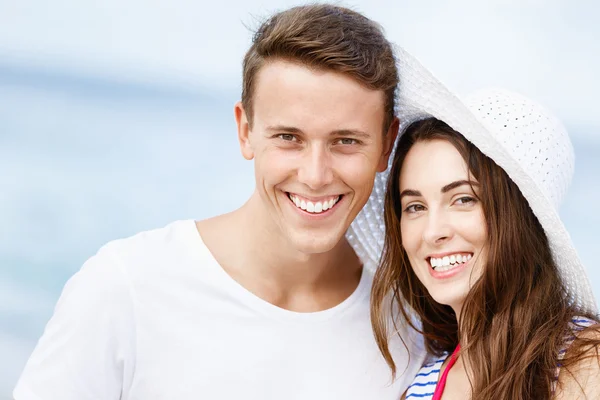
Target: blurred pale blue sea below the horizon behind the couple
85	160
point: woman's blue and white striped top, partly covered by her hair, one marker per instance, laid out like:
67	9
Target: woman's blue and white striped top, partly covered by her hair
423	386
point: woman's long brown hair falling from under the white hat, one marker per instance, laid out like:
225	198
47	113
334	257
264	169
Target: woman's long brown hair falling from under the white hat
516	316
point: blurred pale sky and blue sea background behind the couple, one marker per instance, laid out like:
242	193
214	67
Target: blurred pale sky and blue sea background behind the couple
117	116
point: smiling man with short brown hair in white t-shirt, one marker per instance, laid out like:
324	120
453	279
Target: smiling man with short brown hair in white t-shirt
269	301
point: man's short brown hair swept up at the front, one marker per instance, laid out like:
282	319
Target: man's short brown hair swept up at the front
326	37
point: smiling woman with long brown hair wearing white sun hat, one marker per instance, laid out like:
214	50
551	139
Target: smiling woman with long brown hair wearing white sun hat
475	250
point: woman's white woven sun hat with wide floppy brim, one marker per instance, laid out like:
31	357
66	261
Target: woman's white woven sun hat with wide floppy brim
523	138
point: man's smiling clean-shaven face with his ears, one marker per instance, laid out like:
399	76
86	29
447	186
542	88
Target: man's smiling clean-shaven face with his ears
317	143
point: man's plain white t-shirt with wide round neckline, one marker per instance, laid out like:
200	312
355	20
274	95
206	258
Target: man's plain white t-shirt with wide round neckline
155	316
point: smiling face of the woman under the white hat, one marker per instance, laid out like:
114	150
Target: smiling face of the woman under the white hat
443	227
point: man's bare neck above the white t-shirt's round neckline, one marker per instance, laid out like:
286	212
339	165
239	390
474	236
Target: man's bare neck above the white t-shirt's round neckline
265	263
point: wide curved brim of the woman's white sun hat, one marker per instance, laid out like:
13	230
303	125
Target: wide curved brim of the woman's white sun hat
421	95
